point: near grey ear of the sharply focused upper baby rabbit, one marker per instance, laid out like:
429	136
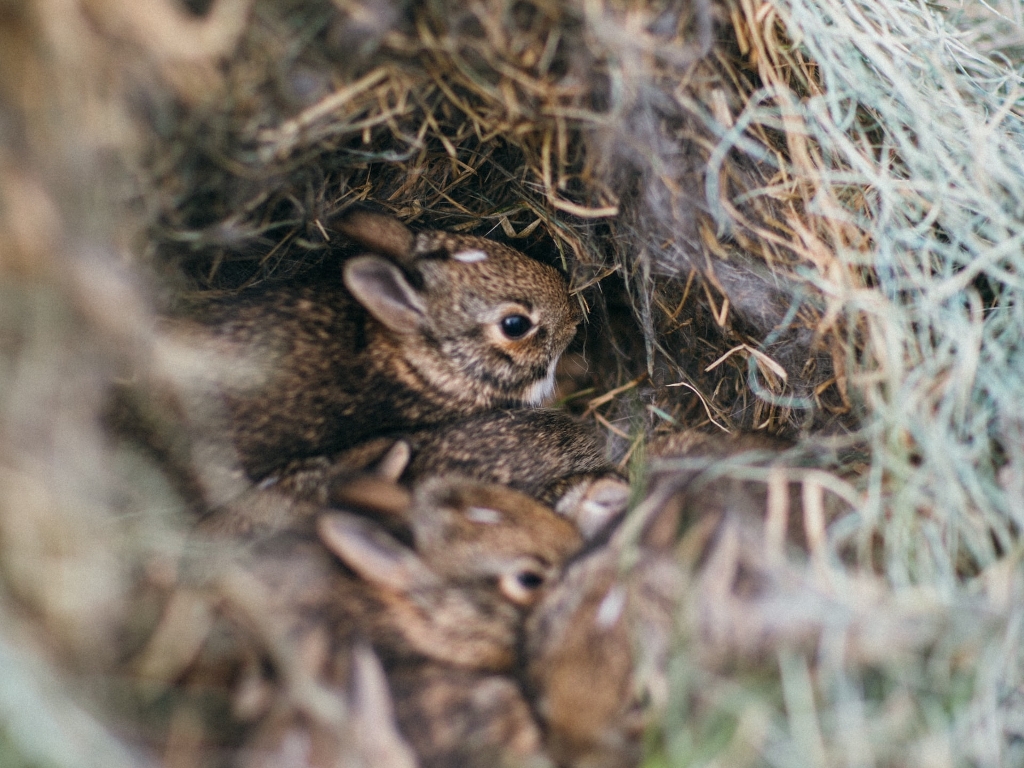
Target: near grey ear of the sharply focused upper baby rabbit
383	290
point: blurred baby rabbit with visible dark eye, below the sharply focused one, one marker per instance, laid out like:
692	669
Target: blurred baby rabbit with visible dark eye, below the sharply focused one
448	574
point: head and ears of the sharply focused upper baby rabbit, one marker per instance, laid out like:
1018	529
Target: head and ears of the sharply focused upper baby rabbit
477	320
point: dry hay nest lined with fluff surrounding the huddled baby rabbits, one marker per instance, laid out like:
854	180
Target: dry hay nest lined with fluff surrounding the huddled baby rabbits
804	214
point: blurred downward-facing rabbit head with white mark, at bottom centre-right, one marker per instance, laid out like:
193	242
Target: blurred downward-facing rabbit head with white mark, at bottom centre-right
596	652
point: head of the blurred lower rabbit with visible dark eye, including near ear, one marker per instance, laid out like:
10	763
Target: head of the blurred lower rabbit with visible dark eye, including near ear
483	556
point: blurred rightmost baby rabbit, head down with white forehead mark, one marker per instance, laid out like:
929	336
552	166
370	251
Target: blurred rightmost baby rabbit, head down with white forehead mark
599	645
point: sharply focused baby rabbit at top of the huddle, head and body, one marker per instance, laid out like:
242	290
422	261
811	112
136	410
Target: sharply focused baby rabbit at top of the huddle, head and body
422	329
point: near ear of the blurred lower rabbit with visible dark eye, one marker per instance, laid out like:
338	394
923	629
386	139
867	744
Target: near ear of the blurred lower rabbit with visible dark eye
373	554
